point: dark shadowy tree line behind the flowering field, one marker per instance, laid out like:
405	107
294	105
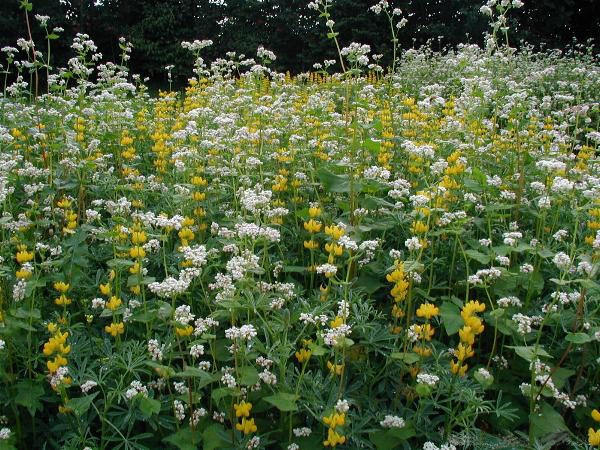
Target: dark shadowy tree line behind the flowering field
287	27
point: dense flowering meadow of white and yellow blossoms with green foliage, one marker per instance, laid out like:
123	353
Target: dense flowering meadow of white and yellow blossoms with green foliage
345	260
